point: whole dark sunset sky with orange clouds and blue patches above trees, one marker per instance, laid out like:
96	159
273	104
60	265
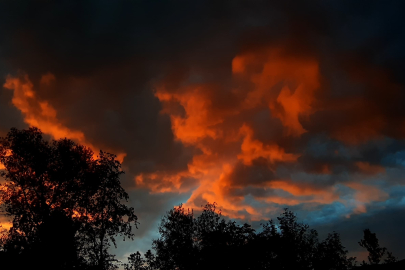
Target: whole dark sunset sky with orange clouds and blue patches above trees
254	105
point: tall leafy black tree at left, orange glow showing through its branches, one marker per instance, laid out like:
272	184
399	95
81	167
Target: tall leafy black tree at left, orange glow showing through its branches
62	200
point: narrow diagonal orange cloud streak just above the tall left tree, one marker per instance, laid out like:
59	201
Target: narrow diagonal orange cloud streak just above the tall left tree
40	113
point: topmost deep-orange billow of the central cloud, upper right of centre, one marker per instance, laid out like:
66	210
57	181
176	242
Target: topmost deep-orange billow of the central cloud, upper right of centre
299	79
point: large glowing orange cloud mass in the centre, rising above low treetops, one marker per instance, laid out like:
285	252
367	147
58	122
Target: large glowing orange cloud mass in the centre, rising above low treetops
200	117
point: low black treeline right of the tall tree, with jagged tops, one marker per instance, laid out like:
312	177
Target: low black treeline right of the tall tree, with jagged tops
210	242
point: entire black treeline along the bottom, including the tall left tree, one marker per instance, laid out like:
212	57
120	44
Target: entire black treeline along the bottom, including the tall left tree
67	207
